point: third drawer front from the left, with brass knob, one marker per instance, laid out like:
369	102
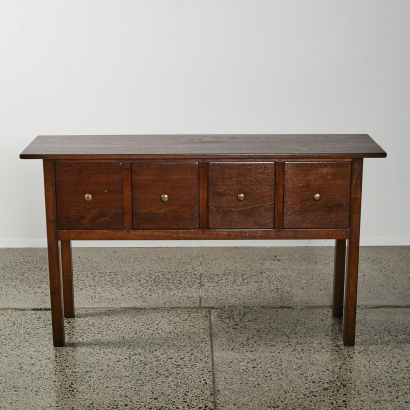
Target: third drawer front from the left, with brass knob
228	181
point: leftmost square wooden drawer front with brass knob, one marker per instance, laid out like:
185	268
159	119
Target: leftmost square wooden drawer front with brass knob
103	182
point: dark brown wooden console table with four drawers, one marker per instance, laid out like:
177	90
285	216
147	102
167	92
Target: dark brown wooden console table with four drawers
203	187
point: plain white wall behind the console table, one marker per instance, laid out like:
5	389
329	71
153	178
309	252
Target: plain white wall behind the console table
206	66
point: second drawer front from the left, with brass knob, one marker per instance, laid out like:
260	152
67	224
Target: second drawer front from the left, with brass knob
151	182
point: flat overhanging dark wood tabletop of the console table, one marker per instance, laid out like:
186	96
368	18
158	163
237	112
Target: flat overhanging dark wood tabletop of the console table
137	147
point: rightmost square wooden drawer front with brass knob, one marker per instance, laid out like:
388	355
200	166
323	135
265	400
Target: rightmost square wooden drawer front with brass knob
305	179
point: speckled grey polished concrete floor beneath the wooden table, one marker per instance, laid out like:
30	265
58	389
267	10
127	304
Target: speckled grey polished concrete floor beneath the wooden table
205	328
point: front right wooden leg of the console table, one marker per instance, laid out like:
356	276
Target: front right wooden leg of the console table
352	269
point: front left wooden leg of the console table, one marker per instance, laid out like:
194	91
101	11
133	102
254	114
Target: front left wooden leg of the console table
57	315
